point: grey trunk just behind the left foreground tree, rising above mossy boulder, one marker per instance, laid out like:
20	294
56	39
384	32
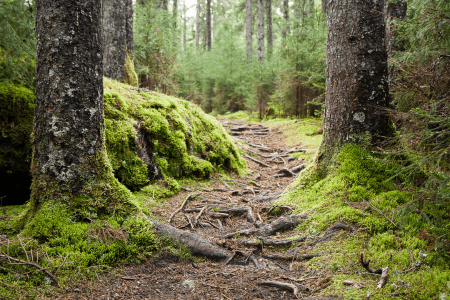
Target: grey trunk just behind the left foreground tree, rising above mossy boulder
114	38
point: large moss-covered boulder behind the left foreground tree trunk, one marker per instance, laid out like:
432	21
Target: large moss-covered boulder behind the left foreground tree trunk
150	137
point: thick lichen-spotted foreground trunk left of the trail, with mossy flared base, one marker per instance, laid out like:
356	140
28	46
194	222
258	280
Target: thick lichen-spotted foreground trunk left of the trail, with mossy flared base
70	164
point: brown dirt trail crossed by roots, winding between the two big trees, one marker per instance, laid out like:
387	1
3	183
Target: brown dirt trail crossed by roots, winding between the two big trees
267	260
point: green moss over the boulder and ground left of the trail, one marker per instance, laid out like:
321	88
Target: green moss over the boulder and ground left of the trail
153	141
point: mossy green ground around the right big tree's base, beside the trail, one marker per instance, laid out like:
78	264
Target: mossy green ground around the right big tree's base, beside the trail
355	186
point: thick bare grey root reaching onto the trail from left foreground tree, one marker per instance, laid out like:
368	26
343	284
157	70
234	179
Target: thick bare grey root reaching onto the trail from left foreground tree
196	244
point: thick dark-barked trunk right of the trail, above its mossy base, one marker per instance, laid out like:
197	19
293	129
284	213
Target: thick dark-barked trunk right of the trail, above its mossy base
356	74
